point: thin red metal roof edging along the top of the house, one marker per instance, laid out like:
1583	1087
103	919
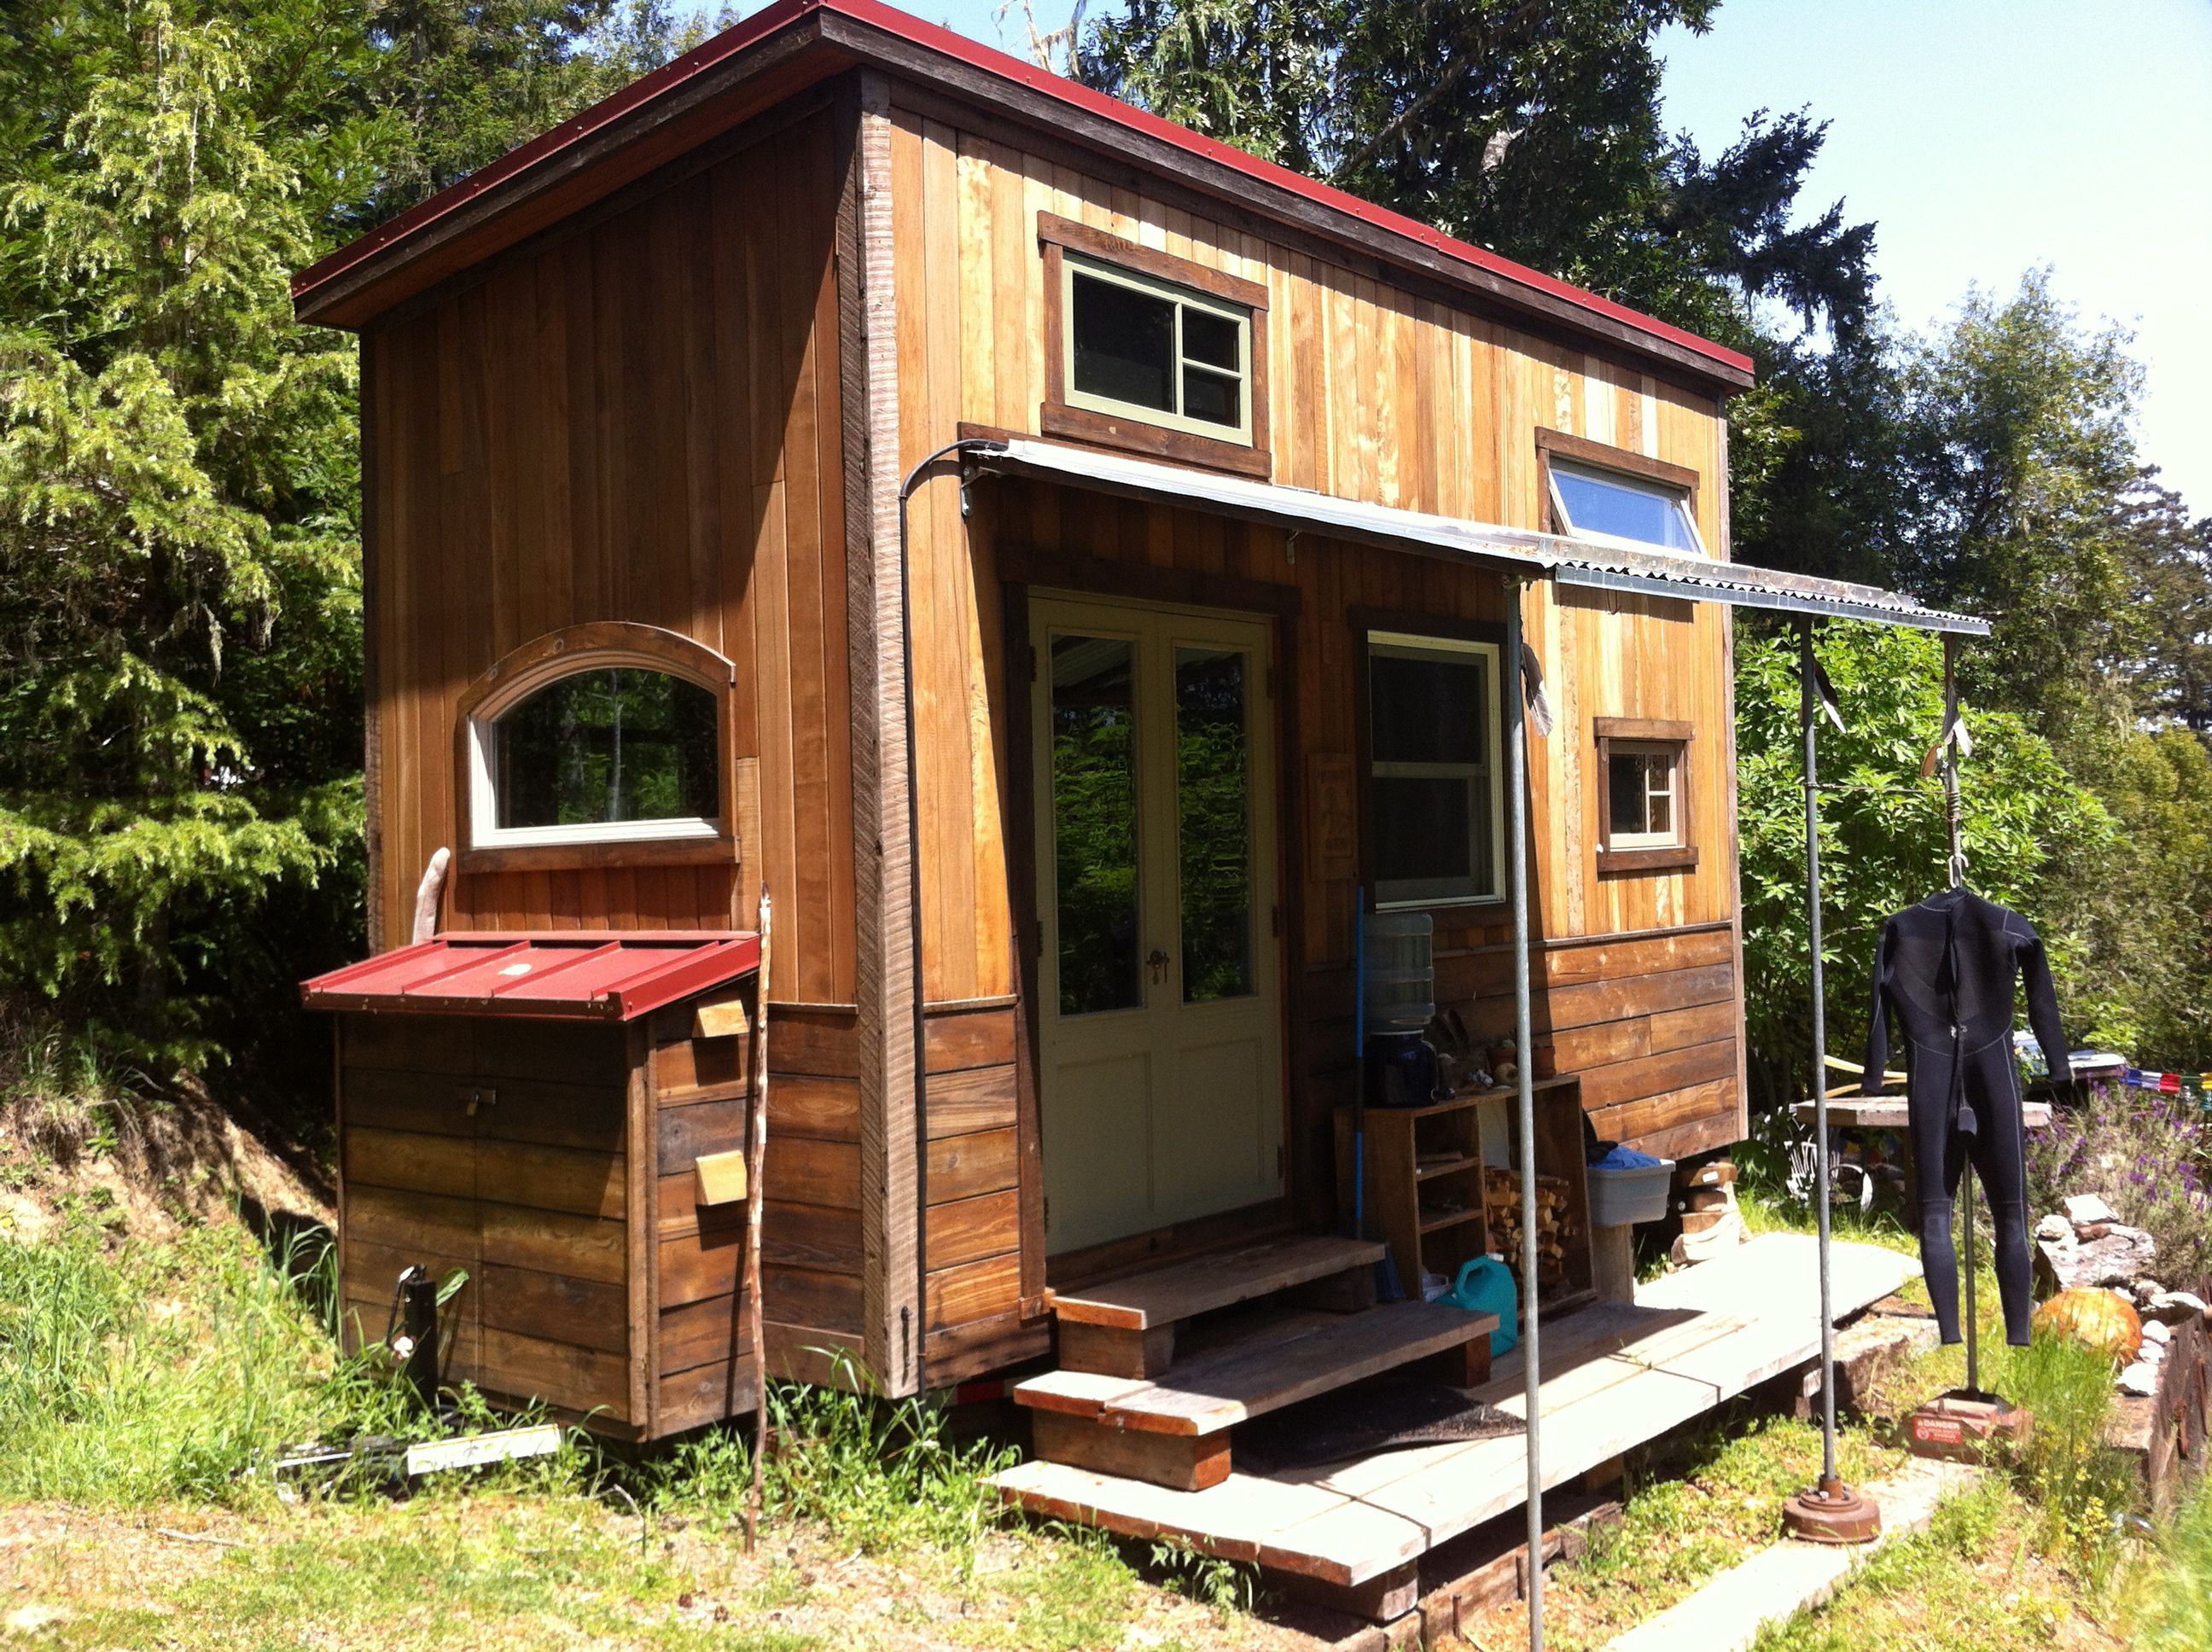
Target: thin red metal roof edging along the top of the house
547	147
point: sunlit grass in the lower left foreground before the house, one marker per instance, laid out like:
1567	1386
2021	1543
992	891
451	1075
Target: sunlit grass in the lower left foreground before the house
143	1388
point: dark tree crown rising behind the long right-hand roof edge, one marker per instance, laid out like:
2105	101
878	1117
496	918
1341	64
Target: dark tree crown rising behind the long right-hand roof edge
1525	125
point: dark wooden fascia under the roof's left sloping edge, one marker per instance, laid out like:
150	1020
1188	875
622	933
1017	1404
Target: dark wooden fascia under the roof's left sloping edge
778	56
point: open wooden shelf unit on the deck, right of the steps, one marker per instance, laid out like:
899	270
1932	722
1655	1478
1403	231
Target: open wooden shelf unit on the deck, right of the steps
1434	1215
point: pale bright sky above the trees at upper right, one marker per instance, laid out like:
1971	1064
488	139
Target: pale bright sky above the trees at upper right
1983	138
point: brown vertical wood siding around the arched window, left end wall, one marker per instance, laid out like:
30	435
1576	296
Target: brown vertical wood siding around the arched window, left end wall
638	421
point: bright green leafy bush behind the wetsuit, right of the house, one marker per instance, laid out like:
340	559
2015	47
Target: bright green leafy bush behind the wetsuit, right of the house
1884	846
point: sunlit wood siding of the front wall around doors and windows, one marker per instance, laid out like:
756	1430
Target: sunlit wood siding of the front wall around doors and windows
1375	395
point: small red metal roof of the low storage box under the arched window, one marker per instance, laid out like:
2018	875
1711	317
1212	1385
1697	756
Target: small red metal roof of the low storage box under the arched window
570	974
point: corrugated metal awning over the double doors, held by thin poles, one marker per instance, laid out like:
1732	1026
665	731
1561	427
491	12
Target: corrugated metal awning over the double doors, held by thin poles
1576	563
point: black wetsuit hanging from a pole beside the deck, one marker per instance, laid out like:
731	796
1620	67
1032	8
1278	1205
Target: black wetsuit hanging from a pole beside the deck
1945	970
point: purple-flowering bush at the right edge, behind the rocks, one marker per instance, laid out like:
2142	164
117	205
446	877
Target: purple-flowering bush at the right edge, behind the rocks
2149	1156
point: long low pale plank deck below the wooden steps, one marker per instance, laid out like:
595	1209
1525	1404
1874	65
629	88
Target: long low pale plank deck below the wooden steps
1614	1379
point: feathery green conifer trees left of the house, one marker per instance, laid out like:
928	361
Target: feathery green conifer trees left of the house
180	704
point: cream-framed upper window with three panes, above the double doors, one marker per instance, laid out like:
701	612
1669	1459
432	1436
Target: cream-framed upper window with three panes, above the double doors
1154	351
